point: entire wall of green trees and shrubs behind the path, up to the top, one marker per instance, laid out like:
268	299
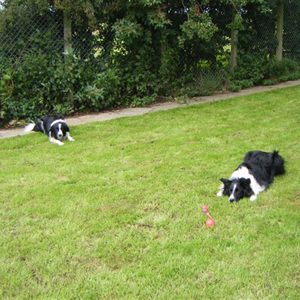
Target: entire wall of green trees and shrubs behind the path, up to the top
133	52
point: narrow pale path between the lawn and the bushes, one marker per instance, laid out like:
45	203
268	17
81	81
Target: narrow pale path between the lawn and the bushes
127	112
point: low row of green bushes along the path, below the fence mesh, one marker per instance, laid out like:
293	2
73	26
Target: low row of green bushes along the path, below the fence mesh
39	84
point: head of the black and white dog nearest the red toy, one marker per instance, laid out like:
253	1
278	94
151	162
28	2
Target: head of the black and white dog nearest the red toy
237	189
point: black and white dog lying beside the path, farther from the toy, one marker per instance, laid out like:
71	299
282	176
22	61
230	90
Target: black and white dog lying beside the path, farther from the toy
55	127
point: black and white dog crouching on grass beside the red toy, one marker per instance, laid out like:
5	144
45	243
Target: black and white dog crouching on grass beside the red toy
253	176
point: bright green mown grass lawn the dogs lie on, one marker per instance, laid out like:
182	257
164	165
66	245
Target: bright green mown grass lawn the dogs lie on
117	214
